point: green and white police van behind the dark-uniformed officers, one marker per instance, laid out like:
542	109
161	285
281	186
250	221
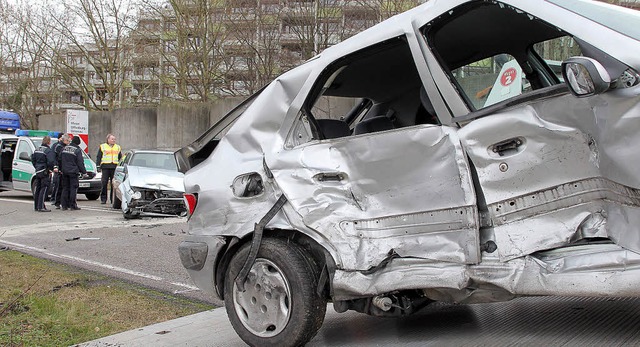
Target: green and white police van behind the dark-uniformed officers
17	171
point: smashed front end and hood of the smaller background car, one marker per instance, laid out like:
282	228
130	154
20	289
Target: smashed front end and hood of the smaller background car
152	192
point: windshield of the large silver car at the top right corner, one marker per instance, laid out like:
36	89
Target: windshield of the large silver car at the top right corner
624	22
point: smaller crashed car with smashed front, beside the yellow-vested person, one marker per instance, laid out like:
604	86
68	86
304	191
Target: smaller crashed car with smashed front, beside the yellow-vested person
147	182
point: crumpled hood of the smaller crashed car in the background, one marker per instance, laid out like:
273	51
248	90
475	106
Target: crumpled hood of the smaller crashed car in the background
144	177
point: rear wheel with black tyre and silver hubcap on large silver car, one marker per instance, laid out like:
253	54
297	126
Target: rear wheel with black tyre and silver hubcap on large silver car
280	305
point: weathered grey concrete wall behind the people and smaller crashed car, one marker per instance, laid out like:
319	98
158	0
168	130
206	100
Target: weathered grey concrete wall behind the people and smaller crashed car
170	126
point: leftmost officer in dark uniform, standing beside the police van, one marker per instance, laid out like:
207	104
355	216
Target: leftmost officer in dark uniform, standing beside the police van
43	160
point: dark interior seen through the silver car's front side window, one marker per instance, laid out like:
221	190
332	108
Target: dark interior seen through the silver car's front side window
471	44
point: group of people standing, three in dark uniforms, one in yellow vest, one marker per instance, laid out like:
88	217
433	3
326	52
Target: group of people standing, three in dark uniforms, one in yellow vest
61	165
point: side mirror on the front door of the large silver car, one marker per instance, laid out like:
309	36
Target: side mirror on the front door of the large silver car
585	76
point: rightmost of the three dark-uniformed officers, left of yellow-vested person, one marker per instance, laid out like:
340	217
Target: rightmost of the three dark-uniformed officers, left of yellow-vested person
72	166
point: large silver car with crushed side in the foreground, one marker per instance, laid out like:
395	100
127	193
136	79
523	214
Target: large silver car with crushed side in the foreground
464	151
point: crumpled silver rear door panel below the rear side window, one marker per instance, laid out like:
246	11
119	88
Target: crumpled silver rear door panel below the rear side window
406	192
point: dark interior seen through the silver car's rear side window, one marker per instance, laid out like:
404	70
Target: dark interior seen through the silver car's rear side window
375	89
